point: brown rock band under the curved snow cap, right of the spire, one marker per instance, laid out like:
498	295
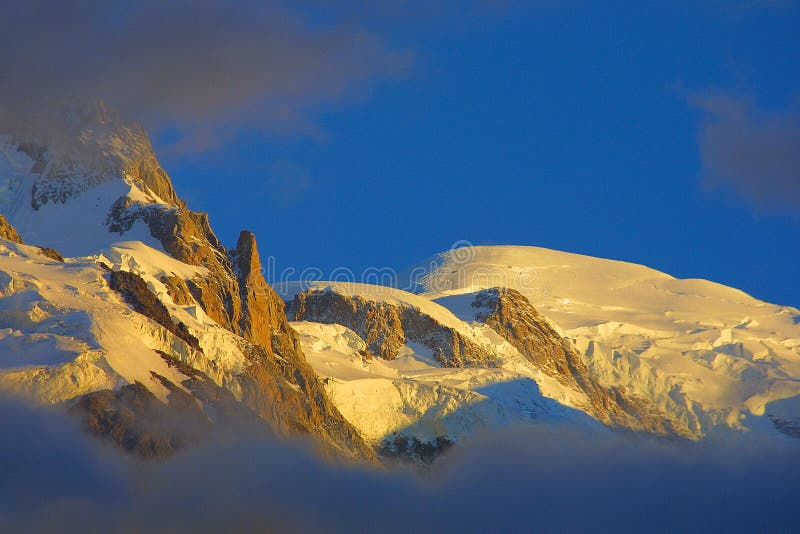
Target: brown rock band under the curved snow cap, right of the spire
386	327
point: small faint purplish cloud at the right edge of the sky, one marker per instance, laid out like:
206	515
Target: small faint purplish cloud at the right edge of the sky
753	151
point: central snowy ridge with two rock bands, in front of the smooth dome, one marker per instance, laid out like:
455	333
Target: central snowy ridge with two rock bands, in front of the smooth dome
506	340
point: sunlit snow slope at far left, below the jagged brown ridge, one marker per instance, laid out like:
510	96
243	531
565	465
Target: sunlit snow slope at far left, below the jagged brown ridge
64	332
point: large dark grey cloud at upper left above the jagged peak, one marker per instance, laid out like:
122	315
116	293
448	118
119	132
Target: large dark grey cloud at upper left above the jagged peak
206	66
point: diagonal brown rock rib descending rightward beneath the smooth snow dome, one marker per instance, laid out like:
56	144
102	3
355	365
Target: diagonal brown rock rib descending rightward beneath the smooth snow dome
512	316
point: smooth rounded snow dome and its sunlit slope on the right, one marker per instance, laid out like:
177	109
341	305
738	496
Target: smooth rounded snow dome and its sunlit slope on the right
706	353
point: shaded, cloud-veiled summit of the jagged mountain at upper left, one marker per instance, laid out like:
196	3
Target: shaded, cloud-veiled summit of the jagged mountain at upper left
79	180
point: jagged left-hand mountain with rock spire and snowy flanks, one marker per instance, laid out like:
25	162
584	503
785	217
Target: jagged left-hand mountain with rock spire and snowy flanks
87	193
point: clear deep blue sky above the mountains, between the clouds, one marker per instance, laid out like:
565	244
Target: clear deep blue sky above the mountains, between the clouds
571	128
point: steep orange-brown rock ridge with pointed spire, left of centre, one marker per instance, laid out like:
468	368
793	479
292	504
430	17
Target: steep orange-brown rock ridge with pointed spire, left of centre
279	385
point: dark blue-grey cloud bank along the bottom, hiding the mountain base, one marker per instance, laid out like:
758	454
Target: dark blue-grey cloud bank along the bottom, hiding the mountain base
544	479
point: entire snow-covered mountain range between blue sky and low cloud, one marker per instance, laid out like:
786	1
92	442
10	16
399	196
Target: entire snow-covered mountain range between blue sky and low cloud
119	303
